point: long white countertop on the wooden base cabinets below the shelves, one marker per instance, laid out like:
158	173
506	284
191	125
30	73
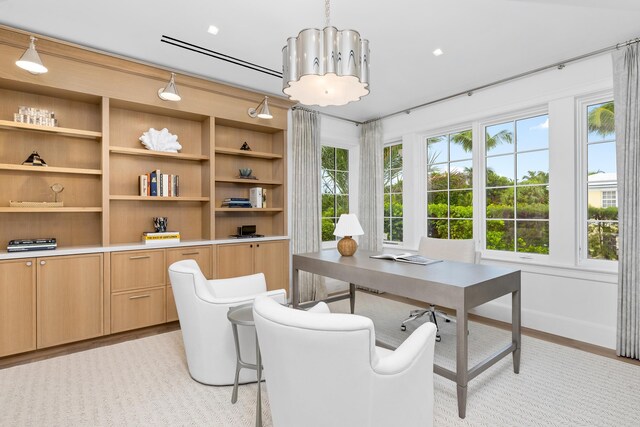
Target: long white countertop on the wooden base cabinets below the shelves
79	250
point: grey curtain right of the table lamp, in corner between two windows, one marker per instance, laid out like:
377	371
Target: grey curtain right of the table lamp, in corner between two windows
371	186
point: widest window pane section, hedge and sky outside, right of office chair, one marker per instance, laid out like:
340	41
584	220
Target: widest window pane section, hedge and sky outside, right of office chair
517	178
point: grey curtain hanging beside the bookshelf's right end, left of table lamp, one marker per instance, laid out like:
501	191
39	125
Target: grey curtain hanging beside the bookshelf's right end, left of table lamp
306	221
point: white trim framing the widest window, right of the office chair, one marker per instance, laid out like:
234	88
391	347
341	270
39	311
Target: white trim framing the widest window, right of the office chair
480	178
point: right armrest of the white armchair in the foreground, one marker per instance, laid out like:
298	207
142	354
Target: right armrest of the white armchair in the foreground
408	352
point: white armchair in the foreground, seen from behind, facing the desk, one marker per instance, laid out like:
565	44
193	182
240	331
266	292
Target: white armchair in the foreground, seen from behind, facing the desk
324	369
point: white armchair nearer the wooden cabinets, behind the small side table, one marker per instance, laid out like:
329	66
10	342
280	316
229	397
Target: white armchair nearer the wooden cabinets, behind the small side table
202	310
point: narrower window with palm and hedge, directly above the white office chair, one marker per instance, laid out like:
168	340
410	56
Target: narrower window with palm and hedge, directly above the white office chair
450	186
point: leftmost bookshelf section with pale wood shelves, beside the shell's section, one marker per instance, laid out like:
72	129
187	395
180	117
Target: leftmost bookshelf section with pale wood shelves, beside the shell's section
72	154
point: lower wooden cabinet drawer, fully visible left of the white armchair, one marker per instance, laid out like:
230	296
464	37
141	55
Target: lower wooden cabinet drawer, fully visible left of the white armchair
132	310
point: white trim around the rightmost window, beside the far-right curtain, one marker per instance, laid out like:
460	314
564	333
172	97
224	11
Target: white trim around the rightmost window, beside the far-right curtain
581	183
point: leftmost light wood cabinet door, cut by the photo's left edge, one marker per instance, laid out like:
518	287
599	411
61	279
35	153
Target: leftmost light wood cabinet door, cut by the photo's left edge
17	306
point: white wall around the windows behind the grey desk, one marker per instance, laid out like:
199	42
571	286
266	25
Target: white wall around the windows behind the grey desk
561	294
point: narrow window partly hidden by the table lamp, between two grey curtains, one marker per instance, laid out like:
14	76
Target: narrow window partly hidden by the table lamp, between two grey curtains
335	188
